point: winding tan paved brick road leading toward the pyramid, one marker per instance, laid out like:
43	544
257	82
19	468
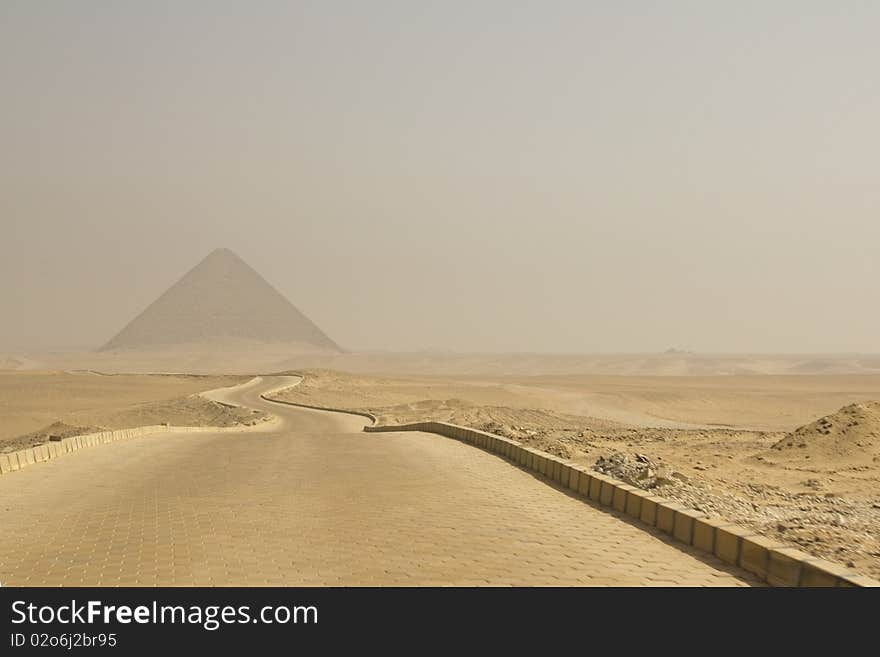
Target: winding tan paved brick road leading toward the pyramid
316	502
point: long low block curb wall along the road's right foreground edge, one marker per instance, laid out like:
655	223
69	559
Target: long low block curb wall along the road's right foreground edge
769	560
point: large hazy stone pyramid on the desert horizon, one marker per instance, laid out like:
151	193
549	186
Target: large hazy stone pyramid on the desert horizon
221	299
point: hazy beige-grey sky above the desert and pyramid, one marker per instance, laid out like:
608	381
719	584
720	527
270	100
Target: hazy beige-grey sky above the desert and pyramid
478	176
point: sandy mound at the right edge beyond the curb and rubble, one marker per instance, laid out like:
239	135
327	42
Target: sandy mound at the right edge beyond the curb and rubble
850	434
